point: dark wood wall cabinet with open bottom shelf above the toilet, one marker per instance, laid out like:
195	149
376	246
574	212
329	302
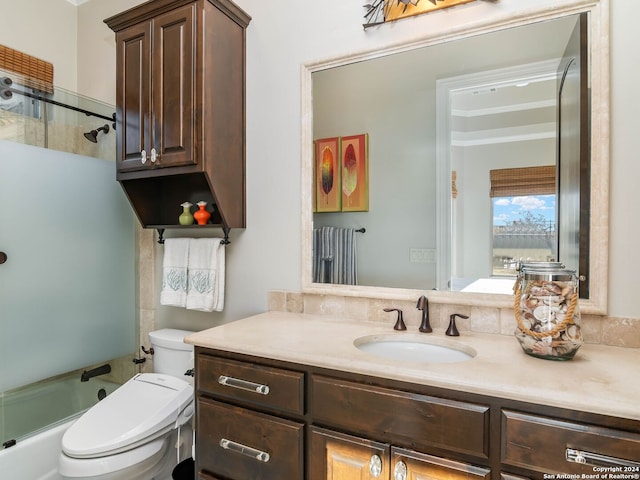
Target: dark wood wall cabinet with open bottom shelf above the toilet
180	109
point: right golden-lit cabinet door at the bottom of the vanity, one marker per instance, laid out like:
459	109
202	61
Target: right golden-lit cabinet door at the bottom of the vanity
407	464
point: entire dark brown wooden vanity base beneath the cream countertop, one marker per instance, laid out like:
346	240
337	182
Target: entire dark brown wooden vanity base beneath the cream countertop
258	418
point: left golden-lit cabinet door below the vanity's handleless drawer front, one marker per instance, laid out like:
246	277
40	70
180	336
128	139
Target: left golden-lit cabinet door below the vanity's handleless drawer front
335	456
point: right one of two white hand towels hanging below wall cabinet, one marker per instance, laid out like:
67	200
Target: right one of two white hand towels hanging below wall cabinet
206	270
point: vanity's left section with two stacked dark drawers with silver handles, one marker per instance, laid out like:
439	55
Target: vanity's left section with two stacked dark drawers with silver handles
249	420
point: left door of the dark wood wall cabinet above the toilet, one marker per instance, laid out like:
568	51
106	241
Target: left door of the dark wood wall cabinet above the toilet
133	95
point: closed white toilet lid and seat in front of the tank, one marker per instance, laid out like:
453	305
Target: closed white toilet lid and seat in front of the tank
143	408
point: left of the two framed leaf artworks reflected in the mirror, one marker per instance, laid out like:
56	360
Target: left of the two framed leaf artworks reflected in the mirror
327	175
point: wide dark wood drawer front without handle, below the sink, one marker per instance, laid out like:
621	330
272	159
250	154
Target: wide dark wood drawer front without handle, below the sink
404	418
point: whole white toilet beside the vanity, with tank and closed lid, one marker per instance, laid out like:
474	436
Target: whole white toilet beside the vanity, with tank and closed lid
140	431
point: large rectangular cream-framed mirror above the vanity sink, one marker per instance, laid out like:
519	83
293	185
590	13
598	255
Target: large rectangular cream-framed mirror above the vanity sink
435	137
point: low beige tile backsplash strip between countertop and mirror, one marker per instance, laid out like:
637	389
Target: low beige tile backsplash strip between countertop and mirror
597	329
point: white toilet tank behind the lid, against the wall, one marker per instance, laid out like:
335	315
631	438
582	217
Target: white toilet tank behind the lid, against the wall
171	355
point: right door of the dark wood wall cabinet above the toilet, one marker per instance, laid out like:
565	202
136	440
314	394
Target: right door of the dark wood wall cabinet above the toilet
173	67
